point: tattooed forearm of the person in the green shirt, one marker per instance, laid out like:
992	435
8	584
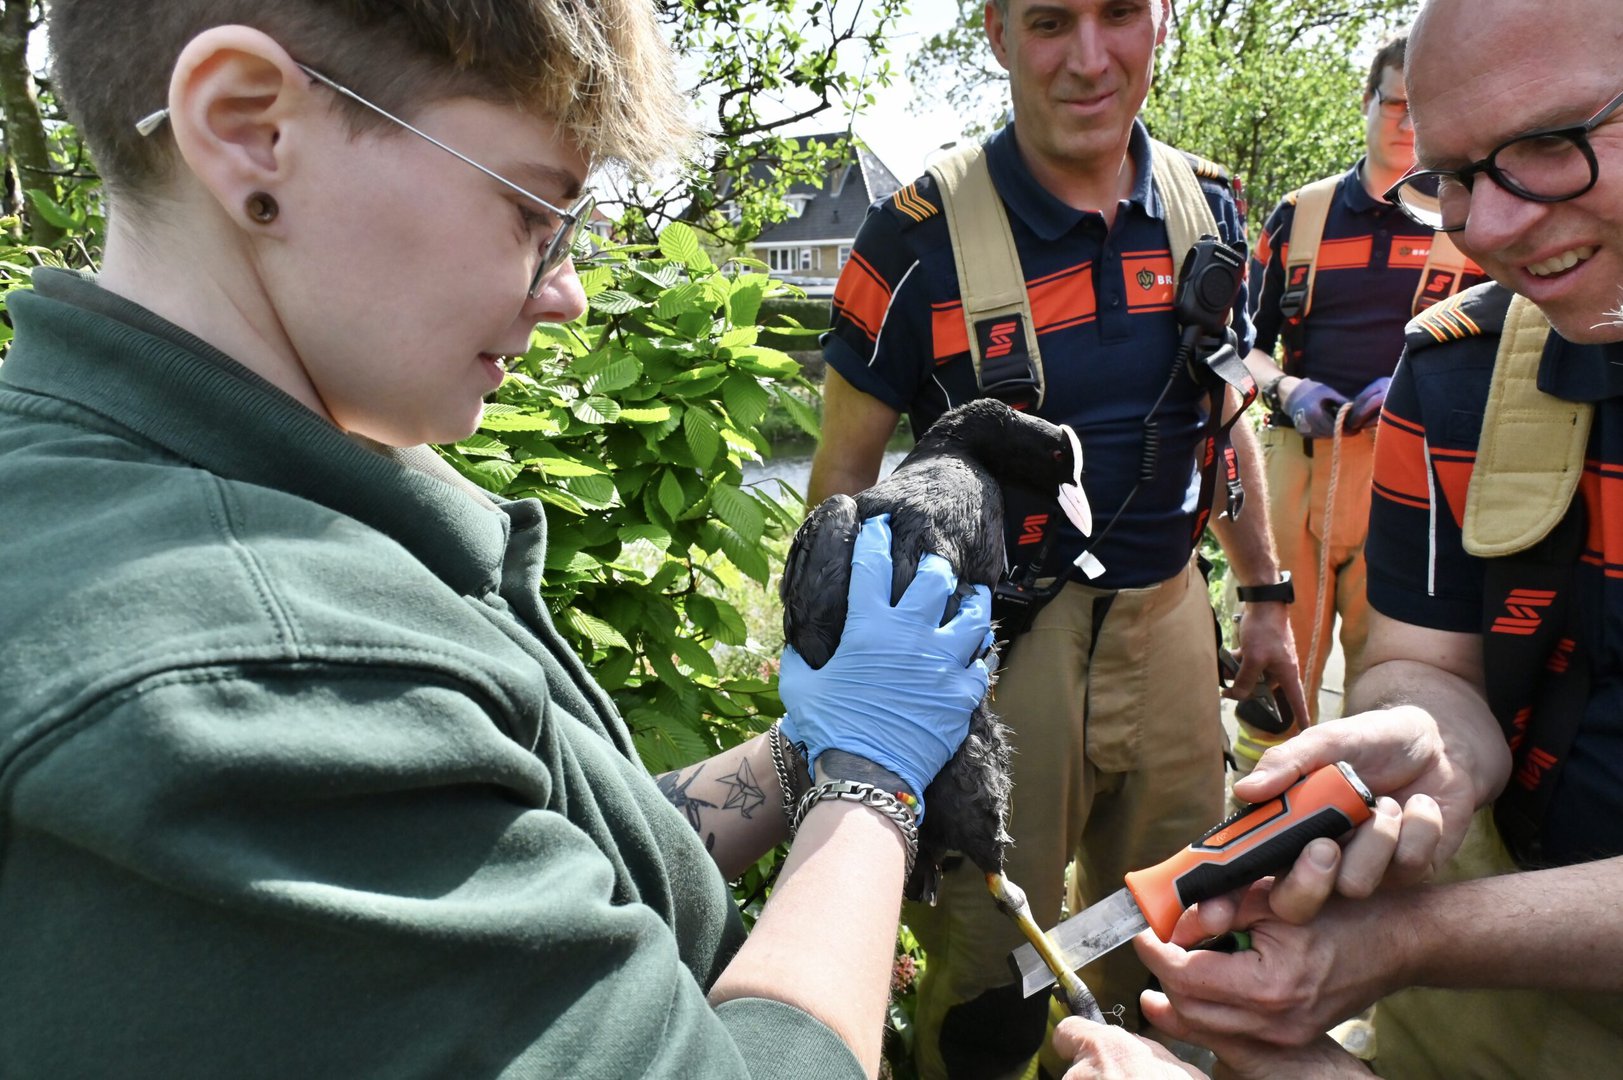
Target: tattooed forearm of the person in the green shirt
734	803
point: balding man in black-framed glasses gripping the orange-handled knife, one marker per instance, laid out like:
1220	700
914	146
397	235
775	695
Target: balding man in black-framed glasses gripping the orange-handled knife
1520	140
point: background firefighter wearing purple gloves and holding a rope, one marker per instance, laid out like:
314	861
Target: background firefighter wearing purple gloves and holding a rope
1338	272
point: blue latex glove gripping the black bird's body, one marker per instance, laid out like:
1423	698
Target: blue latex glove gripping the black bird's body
900	688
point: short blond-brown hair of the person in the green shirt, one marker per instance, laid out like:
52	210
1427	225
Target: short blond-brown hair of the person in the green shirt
598	69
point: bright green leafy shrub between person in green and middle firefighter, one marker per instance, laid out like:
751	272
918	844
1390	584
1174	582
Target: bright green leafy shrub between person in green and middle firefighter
631	426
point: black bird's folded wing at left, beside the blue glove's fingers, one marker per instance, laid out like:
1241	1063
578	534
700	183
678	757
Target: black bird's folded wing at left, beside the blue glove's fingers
817	579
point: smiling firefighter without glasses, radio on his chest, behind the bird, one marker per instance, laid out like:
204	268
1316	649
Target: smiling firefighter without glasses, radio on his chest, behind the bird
1109	694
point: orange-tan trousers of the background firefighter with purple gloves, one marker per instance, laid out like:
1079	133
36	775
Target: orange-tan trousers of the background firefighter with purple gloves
1298	486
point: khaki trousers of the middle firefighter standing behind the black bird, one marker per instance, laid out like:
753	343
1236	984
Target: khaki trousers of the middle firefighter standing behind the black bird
1113	699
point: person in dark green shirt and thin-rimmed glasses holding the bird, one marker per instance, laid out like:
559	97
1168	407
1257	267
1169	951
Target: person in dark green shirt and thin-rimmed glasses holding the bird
296	775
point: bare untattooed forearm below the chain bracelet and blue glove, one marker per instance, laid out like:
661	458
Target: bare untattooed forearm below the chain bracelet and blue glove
827	938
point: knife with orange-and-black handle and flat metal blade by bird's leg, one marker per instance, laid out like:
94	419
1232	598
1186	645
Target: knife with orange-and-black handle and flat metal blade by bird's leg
1254	844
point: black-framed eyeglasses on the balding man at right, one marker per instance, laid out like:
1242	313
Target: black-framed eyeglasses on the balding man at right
1548	166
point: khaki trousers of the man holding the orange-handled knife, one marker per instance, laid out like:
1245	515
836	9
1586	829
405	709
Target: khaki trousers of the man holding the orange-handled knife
1497	1035
